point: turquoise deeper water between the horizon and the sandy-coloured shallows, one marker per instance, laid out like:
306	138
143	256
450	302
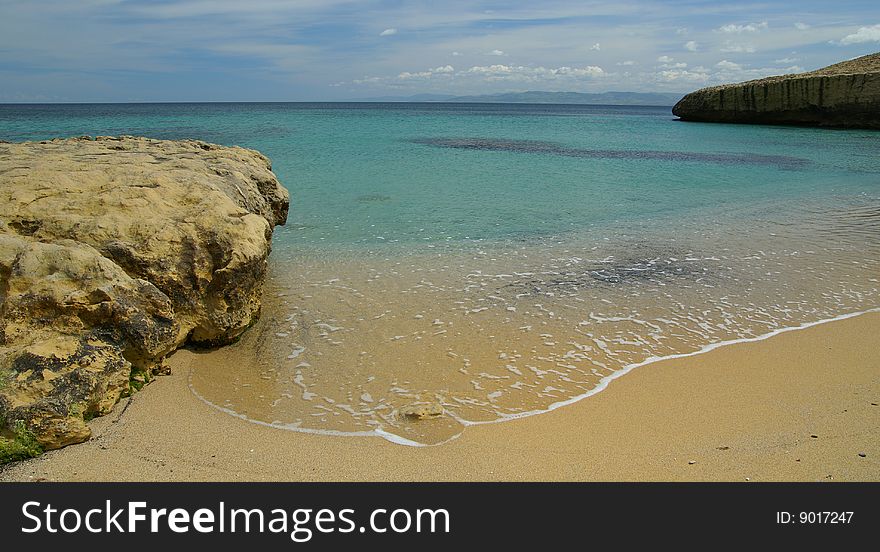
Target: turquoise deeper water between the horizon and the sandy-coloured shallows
370	174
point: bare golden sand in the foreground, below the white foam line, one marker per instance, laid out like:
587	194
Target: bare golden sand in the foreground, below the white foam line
800	406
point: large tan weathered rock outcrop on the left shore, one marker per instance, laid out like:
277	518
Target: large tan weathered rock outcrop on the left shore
113	253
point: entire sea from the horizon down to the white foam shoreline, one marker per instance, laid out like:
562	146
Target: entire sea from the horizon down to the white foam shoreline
485	262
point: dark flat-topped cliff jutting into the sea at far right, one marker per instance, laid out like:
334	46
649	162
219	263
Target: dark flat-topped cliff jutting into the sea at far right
846	94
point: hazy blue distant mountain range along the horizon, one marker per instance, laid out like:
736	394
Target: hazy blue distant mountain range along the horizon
604	98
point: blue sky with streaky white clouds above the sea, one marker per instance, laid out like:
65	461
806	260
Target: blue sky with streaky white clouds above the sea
322	50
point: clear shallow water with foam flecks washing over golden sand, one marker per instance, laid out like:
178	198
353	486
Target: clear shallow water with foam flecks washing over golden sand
351	344
